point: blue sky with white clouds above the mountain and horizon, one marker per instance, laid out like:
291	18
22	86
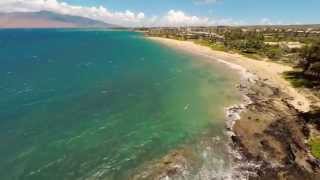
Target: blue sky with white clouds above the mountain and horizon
179	12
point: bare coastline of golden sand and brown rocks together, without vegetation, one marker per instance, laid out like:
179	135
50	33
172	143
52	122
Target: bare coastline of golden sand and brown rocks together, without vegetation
266	129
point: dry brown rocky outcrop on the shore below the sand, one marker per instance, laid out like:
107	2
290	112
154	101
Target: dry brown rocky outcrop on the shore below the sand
272	134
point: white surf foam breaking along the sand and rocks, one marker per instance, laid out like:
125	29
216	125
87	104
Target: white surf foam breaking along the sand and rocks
215	168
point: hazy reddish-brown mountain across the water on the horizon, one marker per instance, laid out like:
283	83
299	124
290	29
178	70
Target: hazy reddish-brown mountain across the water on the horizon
47	19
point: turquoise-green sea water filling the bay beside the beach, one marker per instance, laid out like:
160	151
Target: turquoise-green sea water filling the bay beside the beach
77	102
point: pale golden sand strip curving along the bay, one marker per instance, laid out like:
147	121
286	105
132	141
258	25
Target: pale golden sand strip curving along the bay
271	72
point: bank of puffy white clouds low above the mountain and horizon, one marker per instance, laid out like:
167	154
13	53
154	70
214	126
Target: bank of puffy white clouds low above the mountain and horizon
124	18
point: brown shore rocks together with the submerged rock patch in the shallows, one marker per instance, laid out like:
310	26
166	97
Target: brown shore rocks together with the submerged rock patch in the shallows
269	137
